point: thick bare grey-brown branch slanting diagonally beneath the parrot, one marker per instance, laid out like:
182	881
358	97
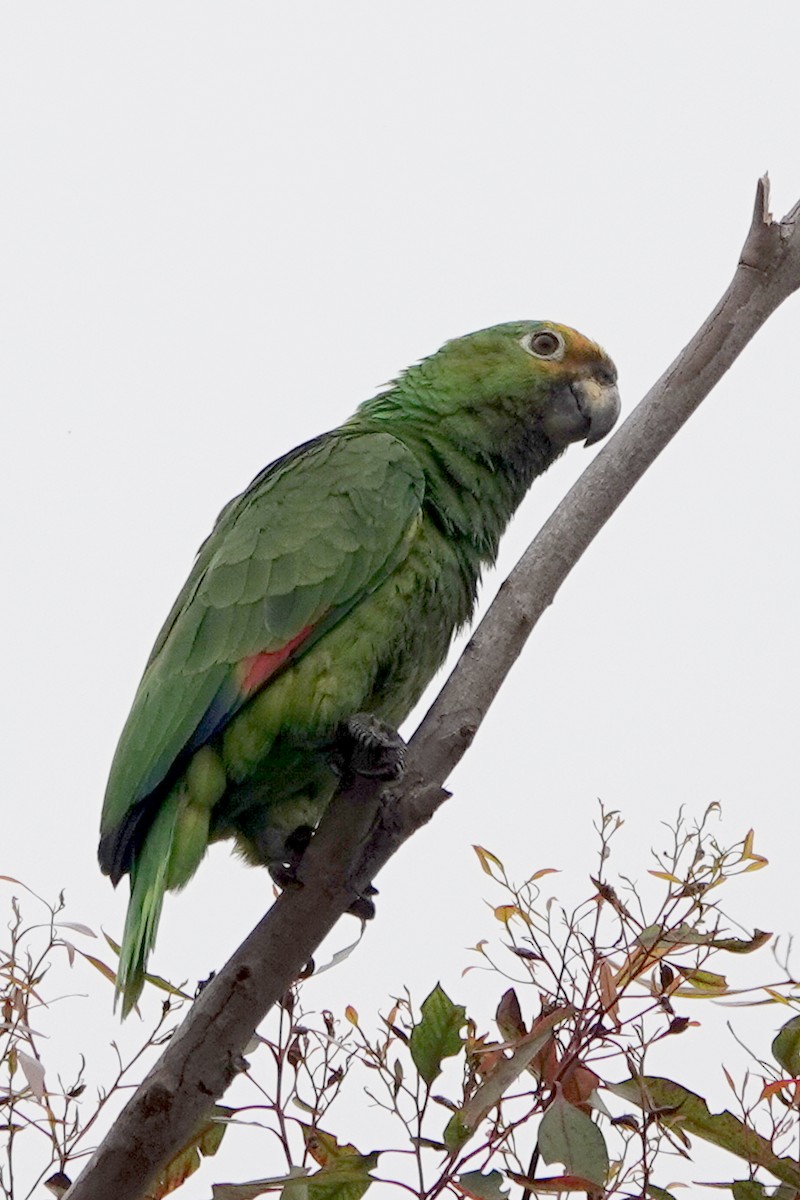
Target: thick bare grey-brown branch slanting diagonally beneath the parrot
363	827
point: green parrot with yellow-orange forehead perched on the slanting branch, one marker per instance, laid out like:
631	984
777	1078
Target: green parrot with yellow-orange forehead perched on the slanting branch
324	602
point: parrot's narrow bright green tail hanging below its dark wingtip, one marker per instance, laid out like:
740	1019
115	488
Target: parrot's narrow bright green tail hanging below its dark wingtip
149	880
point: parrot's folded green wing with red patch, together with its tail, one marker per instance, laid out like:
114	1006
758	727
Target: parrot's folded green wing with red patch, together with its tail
288	560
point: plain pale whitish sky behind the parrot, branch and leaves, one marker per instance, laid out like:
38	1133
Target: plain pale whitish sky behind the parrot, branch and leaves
222	226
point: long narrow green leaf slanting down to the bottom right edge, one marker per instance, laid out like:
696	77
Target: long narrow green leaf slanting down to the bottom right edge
684	1111
